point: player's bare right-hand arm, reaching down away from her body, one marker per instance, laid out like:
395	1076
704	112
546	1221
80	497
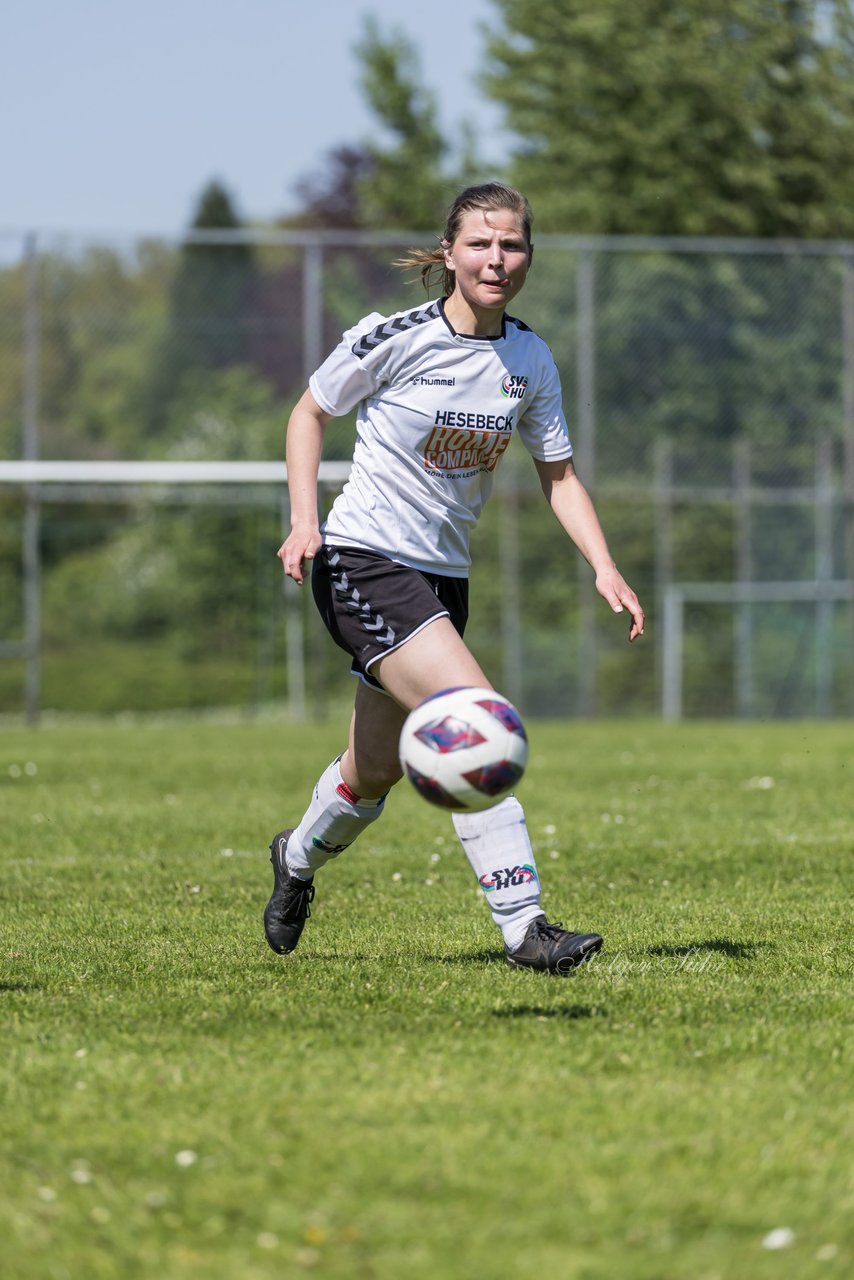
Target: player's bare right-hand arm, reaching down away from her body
576	513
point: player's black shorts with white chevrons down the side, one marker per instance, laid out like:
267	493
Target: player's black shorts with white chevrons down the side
372	605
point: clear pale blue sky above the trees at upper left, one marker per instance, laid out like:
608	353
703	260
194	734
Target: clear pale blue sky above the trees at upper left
117	115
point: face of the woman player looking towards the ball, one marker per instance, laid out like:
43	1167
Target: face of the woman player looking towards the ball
490	258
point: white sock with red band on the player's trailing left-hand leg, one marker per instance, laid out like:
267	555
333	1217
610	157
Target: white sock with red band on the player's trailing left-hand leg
335	819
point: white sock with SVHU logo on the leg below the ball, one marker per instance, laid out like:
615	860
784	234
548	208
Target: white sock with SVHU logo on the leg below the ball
497	845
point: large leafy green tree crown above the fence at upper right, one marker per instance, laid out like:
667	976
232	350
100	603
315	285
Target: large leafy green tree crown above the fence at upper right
705	117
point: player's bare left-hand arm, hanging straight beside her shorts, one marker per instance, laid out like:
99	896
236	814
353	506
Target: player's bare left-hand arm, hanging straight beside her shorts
304	447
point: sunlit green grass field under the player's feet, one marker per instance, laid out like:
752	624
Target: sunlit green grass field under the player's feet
392	1100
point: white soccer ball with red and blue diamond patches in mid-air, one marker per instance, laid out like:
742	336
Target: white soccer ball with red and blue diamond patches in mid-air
464	749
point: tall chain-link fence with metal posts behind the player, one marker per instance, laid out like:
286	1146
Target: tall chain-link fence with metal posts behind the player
710	391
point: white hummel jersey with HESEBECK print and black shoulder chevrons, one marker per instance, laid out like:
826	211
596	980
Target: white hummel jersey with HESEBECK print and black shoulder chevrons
436	413
